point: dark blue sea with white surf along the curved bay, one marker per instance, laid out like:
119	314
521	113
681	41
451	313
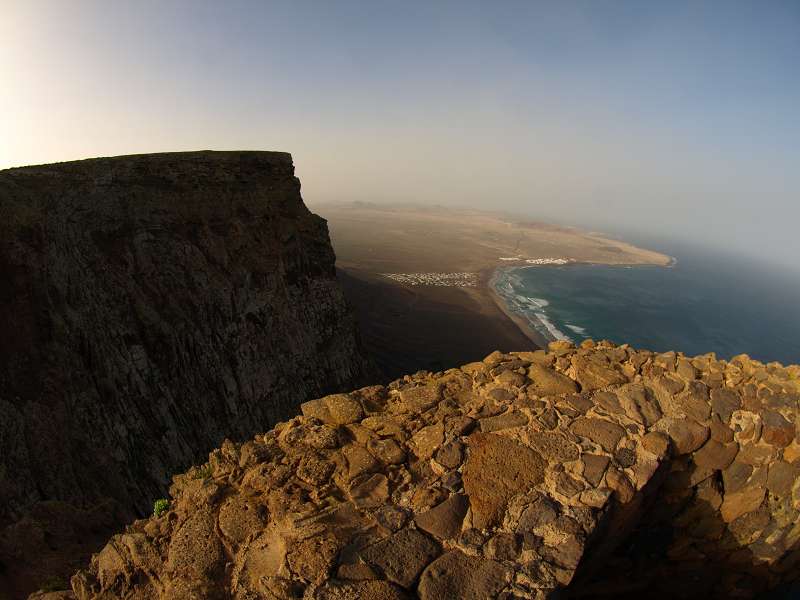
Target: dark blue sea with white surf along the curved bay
704	303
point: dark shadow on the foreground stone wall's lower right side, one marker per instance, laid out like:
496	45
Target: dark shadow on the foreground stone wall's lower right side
651	548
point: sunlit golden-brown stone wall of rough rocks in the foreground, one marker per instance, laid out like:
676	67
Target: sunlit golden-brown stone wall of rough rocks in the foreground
598	471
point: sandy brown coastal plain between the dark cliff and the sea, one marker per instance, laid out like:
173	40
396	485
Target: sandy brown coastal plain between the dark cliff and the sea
432	327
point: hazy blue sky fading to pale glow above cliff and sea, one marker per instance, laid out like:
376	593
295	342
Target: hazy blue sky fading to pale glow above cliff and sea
673	119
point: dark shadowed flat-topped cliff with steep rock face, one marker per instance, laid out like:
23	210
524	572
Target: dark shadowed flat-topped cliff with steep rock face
150	306
